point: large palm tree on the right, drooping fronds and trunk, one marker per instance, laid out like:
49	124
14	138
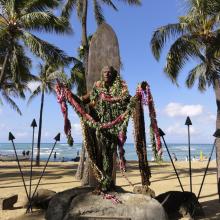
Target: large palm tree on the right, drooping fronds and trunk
196	36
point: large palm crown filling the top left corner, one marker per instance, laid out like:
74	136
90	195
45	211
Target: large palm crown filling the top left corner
18	18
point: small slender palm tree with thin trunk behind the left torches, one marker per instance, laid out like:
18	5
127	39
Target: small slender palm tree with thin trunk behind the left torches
47	79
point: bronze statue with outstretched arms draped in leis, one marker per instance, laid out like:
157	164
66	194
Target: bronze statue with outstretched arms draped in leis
105	124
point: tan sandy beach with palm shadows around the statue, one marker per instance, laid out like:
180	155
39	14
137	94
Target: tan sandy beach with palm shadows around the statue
60	176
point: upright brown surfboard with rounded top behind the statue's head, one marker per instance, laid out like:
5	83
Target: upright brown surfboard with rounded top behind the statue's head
103	50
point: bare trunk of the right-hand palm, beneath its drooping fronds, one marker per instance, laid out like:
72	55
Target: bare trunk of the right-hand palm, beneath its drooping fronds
217	94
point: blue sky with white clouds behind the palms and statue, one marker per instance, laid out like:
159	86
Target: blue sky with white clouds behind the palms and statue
134	27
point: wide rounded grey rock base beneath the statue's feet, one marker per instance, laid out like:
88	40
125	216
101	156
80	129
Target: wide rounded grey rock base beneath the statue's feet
81	203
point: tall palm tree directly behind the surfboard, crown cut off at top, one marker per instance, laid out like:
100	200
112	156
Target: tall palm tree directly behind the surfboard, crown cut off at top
82	9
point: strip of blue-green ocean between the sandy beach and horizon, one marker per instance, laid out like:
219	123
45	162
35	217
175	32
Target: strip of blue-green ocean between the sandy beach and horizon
64	151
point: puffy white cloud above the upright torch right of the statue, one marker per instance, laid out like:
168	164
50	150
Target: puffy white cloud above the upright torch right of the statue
177	109
